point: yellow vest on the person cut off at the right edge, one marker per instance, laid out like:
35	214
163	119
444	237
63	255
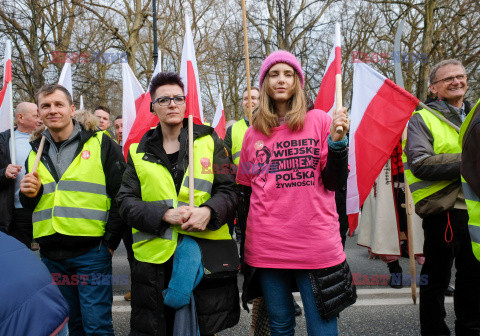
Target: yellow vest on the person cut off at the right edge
471	198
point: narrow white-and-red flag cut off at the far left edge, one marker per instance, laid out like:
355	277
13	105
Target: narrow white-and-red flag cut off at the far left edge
6	104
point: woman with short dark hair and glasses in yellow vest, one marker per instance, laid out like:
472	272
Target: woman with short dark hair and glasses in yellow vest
154	201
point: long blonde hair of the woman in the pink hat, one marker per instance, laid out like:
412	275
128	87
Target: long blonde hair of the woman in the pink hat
266	118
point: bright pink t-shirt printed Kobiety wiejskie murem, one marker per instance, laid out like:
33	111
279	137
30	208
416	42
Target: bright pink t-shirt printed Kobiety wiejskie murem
293	222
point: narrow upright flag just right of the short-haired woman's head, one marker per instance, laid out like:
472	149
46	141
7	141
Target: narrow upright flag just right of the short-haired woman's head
189	74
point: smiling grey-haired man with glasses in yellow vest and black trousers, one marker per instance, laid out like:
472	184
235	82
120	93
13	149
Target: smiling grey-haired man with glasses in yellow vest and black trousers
433	173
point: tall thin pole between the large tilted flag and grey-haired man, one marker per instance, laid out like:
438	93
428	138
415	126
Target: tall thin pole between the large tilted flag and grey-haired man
408	194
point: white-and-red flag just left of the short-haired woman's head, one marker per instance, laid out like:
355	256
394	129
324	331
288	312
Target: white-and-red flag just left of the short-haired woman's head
136	115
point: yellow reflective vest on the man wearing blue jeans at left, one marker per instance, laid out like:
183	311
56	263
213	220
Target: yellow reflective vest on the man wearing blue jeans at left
78	204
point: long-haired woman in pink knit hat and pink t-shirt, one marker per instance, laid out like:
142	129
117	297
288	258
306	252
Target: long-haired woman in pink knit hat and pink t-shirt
292	239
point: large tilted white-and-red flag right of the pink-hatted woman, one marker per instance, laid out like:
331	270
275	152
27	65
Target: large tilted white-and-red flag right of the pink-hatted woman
380	112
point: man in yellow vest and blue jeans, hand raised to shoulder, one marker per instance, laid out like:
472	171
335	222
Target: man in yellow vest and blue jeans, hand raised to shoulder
75	216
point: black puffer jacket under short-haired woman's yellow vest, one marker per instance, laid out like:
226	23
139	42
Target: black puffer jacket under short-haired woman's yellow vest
216	301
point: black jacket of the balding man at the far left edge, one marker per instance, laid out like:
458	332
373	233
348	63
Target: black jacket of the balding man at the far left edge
7	186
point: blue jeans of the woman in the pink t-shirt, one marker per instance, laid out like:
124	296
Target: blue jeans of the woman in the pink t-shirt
276	288
